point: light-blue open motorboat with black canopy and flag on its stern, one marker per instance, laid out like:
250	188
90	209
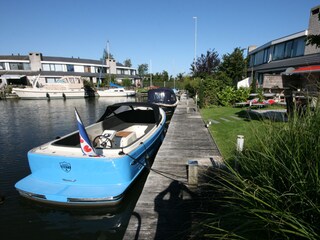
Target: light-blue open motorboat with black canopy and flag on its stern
99	166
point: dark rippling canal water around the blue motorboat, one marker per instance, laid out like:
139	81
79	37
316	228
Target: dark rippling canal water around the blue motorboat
25	124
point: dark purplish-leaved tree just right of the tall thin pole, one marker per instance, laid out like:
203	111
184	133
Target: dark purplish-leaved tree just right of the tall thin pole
206	65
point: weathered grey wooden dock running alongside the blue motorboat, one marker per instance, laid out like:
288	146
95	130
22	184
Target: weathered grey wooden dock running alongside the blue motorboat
164	208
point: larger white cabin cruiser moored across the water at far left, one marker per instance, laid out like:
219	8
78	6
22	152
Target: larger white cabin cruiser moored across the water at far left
66	87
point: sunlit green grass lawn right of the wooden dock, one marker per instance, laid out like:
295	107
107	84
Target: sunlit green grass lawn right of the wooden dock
233	122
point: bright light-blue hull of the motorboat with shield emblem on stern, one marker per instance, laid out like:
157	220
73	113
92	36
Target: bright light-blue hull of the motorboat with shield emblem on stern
86	181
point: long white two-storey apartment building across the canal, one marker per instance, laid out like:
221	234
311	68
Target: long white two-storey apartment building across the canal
17	69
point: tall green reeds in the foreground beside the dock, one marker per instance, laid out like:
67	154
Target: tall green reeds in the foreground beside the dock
273	190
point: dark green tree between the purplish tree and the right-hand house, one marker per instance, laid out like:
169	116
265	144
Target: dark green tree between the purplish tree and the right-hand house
234	65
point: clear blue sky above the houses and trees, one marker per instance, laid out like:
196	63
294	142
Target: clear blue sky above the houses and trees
159	33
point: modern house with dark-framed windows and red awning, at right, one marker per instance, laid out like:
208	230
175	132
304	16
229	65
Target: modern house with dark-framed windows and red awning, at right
271	63
